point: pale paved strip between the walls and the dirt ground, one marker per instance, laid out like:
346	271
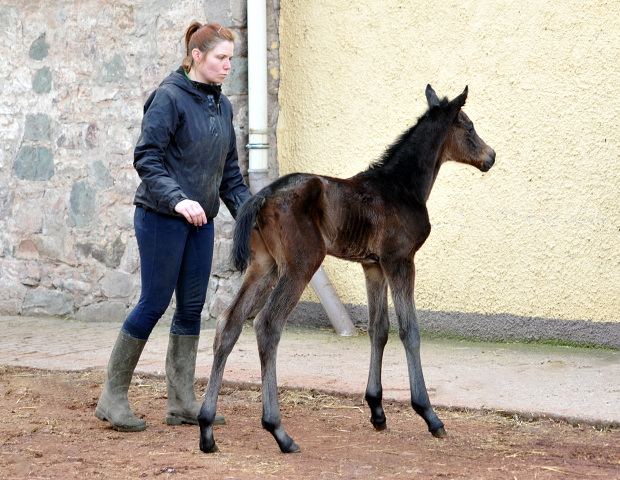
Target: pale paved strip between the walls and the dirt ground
565	382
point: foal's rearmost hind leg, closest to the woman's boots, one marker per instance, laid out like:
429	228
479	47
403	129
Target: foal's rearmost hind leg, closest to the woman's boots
259	277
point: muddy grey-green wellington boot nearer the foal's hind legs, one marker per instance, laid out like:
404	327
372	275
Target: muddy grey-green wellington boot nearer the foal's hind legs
180	370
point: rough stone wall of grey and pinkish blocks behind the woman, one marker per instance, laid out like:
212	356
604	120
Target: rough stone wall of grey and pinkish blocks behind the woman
74	79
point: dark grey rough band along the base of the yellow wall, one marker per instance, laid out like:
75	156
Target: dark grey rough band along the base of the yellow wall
479	326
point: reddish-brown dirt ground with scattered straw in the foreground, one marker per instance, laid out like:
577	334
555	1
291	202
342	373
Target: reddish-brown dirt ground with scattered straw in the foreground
48	430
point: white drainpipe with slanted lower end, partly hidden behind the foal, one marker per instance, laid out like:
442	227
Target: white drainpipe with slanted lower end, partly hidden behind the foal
258	171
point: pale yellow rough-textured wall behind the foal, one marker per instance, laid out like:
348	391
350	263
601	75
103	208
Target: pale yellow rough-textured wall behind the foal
538	235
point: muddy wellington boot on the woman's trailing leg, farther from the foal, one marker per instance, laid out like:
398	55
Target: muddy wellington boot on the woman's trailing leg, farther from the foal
113	404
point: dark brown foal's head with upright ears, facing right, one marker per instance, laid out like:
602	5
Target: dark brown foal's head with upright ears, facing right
463	143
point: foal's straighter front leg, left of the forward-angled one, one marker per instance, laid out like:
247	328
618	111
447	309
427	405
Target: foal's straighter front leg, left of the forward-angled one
378	329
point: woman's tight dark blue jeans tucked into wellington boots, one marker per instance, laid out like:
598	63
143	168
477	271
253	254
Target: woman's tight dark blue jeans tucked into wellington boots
175	256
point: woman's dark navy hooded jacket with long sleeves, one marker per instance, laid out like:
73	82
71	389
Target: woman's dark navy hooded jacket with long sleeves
187	149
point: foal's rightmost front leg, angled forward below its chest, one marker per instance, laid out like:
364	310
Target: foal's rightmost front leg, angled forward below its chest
401	280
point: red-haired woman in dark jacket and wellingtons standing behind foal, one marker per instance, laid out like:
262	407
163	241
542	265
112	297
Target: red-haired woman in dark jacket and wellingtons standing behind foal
186	157
